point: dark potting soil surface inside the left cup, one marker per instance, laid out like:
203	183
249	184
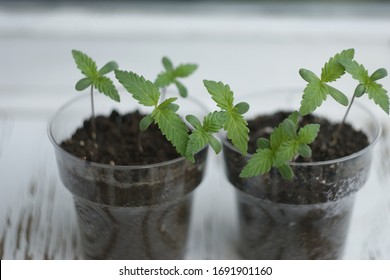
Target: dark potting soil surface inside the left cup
119	141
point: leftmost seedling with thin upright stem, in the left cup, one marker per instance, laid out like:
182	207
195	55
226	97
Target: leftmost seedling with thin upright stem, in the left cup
95	78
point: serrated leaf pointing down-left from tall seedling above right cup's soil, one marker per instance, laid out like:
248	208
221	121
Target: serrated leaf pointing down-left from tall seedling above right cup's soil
314	95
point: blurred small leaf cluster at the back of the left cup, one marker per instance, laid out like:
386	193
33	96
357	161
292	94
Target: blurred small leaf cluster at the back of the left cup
172	74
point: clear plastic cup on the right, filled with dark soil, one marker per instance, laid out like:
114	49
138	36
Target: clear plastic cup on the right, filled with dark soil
307	218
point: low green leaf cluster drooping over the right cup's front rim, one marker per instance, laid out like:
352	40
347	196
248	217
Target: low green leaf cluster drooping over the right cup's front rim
285	143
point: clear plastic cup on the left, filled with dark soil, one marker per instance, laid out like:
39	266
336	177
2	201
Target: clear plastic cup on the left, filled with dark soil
127	212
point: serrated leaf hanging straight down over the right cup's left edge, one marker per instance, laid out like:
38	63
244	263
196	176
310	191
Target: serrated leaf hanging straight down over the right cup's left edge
237	130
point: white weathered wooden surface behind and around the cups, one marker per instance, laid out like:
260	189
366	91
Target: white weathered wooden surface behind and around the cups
250	47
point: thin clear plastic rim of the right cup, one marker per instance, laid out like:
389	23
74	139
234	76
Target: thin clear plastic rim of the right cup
361	107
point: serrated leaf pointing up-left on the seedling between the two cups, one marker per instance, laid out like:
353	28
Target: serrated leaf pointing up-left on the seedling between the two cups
220	93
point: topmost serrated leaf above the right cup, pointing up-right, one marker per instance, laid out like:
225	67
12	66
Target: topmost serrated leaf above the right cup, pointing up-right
333	70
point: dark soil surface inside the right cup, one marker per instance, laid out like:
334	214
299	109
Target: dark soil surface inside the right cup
349	140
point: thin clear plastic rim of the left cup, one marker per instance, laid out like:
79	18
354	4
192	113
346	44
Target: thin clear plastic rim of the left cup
104	165
